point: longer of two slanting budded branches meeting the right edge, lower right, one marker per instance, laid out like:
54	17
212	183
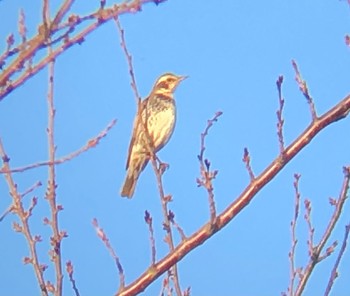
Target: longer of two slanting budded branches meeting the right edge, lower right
315	257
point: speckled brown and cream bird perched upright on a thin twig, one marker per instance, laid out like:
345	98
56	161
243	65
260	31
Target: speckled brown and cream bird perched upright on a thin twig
153	126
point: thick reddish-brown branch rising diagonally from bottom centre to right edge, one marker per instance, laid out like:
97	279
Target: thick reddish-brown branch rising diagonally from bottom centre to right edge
339	111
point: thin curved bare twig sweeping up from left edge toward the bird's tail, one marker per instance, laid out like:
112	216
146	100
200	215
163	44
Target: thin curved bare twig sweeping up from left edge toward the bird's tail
93	142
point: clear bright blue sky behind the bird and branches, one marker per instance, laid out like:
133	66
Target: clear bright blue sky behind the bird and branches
233	52
